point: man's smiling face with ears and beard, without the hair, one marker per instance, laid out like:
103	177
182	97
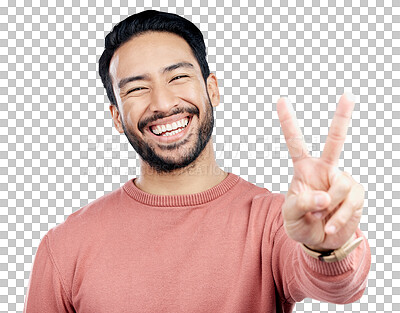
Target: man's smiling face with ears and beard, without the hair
164	107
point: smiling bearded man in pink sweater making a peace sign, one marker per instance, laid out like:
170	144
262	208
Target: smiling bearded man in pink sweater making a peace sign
185	236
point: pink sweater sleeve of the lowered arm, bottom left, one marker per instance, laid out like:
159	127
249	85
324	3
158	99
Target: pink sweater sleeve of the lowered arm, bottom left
46	292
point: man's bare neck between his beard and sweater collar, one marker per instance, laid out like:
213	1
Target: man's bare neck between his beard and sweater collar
204	173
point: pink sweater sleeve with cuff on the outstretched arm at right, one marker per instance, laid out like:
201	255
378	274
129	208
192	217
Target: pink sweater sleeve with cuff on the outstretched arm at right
298	275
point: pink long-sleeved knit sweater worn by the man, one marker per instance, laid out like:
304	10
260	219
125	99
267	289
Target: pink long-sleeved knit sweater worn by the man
221	250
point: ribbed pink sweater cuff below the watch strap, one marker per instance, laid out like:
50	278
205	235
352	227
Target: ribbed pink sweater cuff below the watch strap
335	268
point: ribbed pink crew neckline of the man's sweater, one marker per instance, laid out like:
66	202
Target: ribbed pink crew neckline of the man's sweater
180	200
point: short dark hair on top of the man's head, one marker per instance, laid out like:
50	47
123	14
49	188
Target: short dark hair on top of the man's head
148	21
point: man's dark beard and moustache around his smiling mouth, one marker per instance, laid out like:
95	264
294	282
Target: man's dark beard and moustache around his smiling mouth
163	164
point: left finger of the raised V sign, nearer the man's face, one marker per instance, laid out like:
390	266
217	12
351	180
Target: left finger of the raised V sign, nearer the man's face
291	130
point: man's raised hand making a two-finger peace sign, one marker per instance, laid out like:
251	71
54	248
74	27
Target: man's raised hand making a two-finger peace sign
323	206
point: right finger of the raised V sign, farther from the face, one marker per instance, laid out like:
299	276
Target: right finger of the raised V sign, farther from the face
338	129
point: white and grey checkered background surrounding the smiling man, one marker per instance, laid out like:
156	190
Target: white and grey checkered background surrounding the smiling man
59	150
